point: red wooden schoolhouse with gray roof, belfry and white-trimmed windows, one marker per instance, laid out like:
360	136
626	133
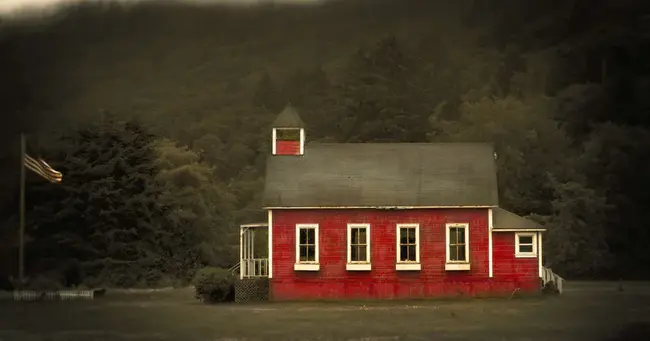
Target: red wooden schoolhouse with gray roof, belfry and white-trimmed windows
387	220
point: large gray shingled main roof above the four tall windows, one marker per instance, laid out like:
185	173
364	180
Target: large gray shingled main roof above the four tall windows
383	174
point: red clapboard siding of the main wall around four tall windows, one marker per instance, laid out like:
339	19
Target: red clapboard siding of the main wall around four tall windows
383	281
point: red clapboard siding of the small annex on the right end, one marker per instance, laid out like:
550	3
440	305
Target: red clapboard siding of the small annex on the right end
524	271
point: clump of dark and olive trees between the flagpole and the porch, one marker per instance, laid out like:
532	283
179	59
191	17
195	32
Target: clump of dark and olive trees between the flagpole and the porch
132	210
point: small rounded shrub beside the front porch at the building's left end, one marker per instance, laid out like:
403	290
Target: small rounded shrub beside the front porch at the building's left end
214	285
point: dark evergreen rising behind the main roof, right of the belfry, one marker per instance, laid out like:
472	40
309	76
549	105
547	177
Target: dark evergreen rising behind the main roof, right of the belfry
378	100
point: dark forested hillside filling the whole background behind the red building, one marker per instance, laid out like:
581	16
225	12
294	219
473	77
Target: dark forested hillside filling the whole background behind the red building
158	116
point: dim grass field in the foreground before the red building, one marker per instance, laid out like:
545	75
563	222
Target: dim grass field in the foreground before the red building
586	311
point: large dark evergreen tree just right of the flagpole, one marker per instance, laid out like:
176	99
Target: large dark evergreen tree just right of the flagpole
105	216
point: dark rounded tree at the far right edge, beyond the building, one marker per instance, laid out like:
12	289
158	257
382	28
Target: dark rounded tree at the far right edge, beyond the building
615	160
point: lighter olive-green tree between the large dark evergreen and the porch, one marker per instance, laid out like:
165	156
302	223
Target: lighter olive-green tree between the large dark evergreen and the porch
199	210
